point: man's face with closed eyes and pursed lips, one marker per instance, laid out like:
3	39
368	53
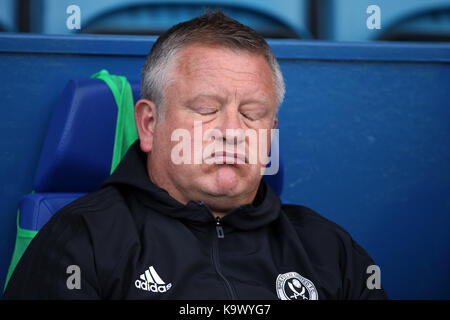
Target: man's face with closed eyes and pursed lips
219	89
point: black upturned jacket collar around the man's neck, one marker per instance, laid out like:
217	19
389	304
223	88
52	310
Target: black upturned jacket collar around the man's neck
131	173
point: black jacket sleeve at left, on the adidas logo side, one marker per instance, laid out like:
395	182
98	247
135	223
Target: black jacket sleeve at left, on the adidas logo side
58	264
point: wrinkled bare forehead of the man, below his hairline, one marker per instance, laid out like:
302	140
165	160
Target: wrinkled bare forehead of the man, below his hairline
200	67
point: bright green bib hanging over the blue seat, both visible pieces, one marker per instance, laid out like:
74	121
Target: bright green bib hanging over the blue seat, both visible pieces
126	134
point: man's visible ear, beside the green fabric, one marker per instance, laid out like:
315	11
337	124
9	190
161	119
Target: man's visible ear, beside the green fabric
145	115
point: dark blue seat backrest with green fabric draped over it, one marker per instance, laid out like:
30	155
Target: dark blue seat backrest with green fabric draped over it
77	152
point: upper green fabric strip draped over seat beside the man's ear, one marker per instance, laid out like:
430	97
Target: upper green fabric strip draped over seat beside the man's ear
126	132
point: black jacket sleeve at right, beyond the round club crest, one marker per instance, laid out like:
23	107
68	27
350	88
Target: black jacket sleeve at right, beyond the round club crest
362	278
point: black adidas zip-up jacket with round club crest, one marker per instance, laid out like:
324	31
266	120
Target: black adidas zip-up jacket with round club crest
132	240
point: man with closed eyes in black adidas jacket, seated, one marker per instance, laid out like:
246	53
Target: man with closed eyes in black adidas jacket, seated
191	218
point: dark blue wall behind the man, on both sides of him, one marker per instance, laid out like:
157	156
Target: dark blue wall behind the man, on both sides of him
364	130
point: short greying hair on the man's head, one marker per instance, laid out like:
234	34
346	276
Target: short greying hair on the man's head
213	28
